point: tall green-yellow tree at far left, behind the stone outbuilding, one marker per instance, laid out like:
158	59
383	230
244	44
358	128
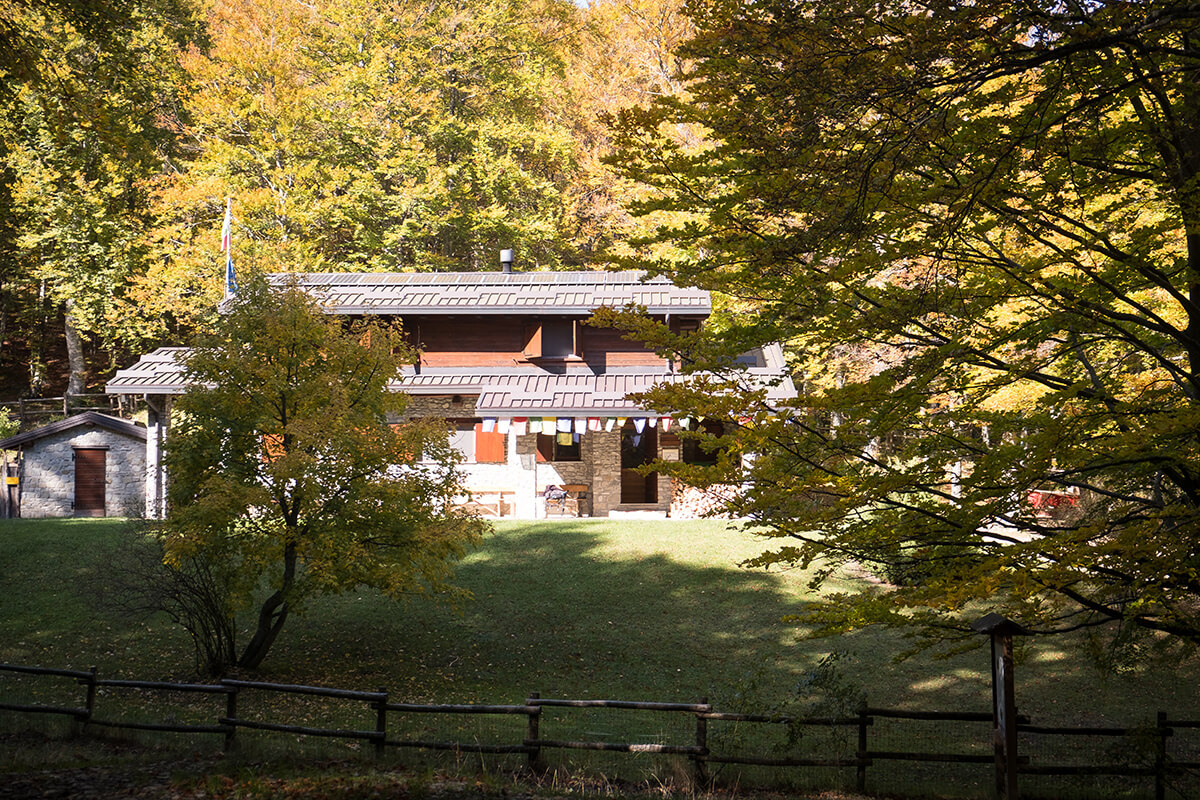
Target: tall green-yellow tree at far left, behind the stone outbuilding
87	115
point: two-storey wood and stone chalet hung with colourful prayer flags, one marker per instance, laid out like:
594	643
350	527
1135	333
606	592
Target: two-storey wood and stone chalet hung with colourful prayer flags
536	398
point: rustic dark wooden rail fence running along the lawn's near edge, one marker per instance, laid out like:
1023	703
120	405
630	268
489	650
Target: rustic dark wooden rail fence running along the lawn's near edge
386	732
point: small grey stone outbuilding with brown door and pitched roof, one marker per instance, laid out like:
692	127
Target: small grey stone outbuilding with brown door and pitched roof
87	466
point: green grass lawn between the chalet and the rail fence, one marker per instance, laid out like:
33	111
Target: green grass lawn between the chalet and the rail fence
641	611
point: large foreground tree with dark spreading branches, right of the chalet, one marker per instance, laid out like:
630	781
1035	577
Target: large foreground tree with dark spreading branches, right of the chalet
977	227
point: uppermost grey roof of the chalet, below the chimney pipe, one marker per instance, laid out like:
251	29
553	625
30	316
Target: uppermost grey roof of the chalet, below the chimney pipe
496	293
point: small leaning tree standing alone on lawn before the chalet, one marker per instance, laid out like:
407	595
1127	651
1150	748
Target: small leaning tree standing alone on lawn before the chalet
287	472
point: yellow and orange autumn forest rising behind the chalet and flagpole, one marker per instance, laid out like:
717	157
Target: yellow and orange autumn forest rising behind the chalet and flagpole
351	136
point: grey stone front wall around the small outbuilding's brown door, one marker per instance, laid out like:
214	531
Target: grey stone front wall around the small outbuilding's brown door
47	480
